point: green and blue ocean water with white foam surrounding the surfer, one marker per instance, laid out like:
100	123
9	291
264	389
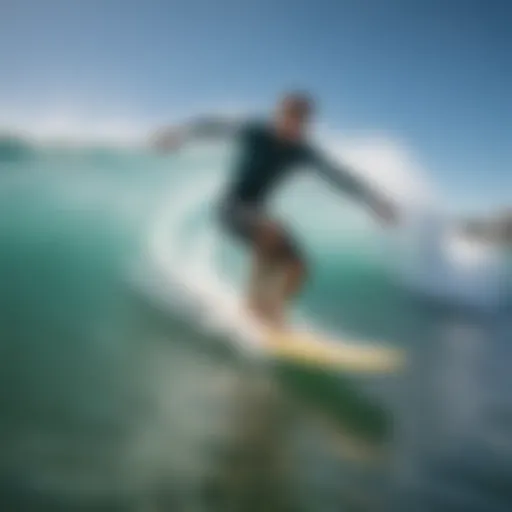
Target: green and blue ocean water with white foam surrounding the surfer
129	383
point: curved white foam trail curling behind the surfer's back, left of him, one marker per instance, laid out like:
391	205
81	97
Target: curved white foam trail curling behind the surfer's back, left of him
184	269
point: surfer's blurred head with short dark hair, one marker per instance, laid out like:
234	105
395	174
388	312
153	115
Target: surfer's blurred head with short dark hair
294	112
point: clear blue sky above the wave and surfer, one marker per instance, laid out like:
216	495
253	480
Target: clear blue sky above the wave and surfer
436	74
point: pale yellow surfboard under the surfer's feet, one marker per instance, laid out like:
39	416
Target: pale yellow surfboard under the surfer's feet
314	350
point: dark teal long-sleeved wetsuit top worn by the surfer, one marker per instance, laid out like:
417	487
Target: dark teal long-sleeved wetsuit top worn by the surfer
265	160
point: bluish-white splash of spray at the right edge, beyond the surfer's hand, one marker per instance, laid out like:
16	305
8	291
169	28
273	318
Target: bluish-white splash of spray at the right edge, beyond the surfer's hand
438	261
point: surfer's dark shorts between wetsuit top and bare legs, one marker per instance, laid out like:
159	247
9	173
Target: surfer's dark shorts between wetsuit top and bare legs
243	221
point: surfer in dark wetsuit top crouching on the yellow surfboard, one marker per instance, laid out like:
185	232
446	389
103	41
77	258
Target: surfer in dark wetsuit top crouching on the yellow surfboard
269	153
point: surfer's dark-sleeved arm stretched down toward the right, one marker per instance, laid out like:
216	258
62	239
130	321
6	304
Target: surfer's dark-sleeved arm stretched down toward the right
345	180
